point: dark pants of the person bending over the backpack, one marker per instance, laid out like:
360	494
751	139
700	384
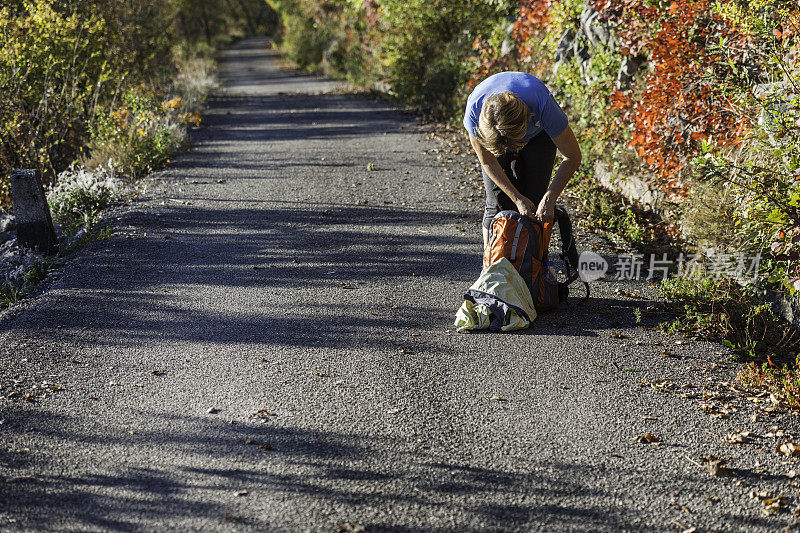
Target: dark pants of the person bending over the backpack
529	170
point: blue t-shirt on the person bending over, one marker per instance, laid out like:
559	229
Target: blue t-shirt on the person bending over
546	114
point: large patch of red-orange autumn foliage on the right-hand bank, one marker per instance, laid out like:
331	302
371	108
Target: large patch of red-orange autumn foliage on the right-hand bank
683	102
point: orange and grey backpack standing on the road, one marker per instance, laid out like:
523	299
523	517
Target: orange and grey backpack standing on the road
525	243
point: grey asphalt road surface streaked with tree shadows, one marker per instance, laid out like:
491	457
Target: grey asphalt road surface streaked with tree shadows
266	343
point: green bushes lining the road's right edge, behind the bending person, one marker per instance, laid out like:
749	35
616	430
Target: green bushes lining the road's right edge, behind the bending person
420	49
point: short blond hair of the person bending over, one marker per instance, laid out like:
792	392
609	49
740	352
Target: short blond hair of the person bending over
502	123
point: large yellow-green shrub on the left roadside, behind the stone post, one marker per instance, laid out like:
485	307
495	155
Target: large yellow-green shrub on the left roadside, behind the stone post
63	63
